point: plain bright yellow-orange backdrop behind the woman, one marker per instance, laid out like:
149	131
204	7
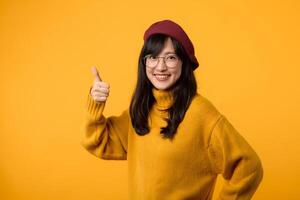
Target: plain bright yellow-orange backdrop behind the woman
249	68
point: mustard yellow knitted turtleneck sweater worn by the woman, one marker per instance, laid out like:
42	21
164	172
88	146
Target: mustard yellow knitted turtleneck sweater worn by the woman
205	145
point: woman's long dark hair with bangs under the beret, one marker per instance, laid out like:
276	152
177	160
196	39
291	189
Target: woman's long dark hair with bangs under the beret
182	91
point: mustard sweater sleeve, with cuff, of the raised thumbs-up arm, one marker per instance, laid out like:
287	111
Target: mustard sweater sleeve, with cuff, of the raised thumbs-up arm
105	137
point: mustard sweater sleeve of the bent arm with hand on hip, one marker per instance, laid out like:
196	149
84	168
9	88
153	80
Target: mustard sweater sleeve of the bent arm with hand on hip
236	160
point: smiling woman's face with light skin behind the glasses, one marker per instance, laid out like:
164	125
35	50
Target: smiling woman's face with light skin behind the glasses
161	76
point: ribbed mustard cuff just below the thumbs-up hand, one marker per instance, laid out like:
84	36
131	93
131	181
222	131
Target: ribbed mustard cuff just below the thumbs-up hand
94	108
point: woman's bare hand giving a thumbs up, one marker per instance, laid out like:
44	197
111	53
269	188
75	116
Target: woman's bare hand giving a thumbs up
100	89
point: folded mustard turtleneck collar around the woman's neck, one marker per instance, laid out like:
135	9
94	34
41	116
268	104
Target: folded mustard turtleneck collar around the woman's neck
163	98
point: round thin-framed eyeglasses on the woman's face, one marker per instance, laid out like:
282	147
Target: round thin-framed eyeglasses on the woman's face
171	60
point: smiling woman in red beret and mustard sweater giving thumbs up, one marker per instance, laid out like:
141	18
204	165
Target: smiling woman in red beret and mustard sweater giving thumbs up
175	140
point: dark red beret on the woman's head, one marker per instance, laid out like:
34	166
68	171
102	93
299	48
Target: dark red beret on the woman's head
172	29
